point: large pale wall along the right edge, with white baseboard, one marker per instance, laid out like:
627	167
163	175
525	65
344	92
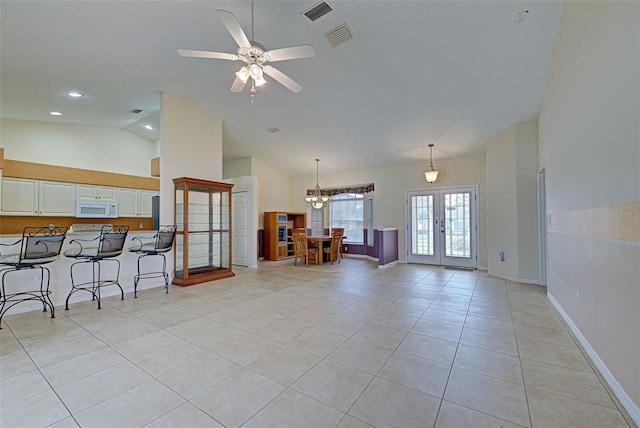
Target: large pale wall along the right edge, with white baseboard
590	143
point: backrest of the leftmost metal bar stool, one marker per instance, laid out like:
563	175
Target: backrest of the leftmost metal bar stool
40	244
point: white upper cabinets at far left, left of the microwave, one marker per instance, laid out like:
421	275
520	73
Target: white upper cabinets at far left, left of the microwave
33	197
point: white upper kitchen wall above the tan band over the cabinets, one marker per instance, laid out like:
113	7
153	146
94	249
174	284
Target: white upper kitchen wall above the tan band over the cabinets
77	146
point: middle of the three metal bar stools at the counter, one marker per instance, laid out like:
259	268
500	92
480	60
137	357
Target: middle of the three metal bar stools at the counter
109	246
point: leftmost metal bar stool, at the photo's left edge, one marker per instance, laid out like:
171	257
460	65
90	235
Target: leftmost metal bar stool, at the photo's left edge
38	246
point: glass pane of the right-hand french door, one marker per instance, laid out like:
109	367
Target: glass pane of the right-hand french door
457	221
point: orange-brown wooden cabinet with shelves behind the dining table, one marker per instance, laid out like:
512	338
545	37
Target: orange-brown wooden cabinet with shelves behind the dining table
277	233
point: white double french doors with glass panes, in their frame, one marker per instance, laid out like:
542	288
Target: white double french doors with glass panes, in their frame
441	227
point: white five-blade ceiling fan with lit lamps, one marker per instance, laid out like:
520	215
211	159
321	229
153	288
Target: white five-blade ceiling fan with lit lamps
254	55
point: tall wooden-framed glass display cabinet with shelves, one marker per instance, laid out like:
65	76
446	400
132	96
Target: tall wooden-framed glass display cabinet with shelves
203	236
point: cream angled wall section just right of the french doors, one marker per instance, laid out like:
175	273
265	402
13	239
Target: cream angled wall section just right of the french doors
512	158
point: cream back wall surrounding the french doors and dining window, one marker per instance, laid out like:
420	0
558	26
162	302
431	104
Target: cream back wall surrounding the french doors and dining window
391	183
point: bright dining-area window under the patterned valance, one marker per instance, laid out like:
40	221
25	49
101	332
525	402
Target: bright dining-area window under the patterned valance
347	211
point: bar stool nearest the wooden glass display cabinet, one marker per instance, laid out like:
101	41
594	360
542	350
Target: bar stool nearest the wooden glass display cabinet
162	243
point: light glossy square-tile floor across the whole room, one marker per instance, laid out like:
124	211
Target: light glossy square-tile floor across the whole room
346	345
